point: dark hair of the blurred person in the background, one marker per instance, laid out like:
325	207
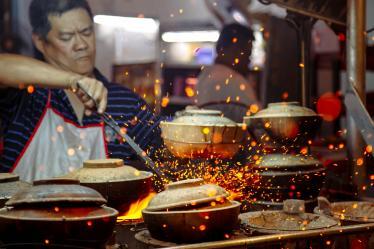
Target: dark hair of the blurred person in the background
234	35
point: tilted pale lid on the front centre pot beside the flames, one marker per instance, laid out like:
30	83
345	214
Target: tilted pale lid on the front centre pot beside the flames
186	193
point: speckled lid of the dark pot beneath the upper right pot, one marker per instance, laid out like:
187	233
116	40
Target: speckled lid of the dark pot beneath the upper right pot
281	161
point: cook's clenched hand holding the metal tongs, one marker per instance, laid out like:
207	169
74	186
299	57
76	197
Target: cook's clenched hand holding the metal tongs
92	93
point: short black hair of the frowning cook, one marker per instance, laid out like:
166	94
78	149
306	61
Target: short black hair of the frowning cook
40	10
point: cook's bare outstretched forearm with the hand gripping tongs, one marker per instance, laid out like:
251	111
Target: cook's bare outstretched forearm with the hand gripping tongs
17	70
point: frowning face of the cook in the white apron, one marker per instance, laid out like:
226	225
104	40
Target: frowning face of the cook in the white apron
70	44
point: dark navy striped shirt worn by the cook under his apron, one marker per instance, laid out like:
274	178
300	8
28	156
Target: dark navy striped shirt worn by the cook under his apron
20	112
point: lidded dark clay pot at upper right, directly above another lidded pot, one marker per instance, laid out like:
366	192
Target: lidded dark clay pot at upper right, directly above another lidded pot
285	123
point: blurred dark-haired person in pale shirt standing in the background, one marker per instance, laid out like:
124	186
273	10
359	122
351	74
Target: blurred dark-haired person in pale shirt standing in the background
224	86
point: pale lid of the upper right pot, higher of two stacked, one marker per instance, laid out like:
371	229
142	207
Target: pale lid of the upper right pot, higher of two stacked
284	109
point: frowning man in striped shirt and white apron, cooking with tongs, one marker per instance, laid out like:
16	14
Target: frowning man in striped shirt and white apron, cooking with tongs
50	125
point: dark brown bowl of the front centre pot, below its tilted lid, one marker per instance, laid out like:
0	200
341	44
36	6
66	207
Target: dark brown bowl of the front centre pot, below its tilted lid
192	225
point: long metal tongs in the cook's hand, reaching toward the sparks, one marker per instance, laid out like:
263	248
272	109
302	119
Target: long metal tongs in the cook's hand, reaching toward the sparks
108	120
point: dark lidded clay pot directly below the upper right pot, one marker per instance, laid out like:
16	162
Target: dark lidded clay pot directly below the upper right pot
284	176
